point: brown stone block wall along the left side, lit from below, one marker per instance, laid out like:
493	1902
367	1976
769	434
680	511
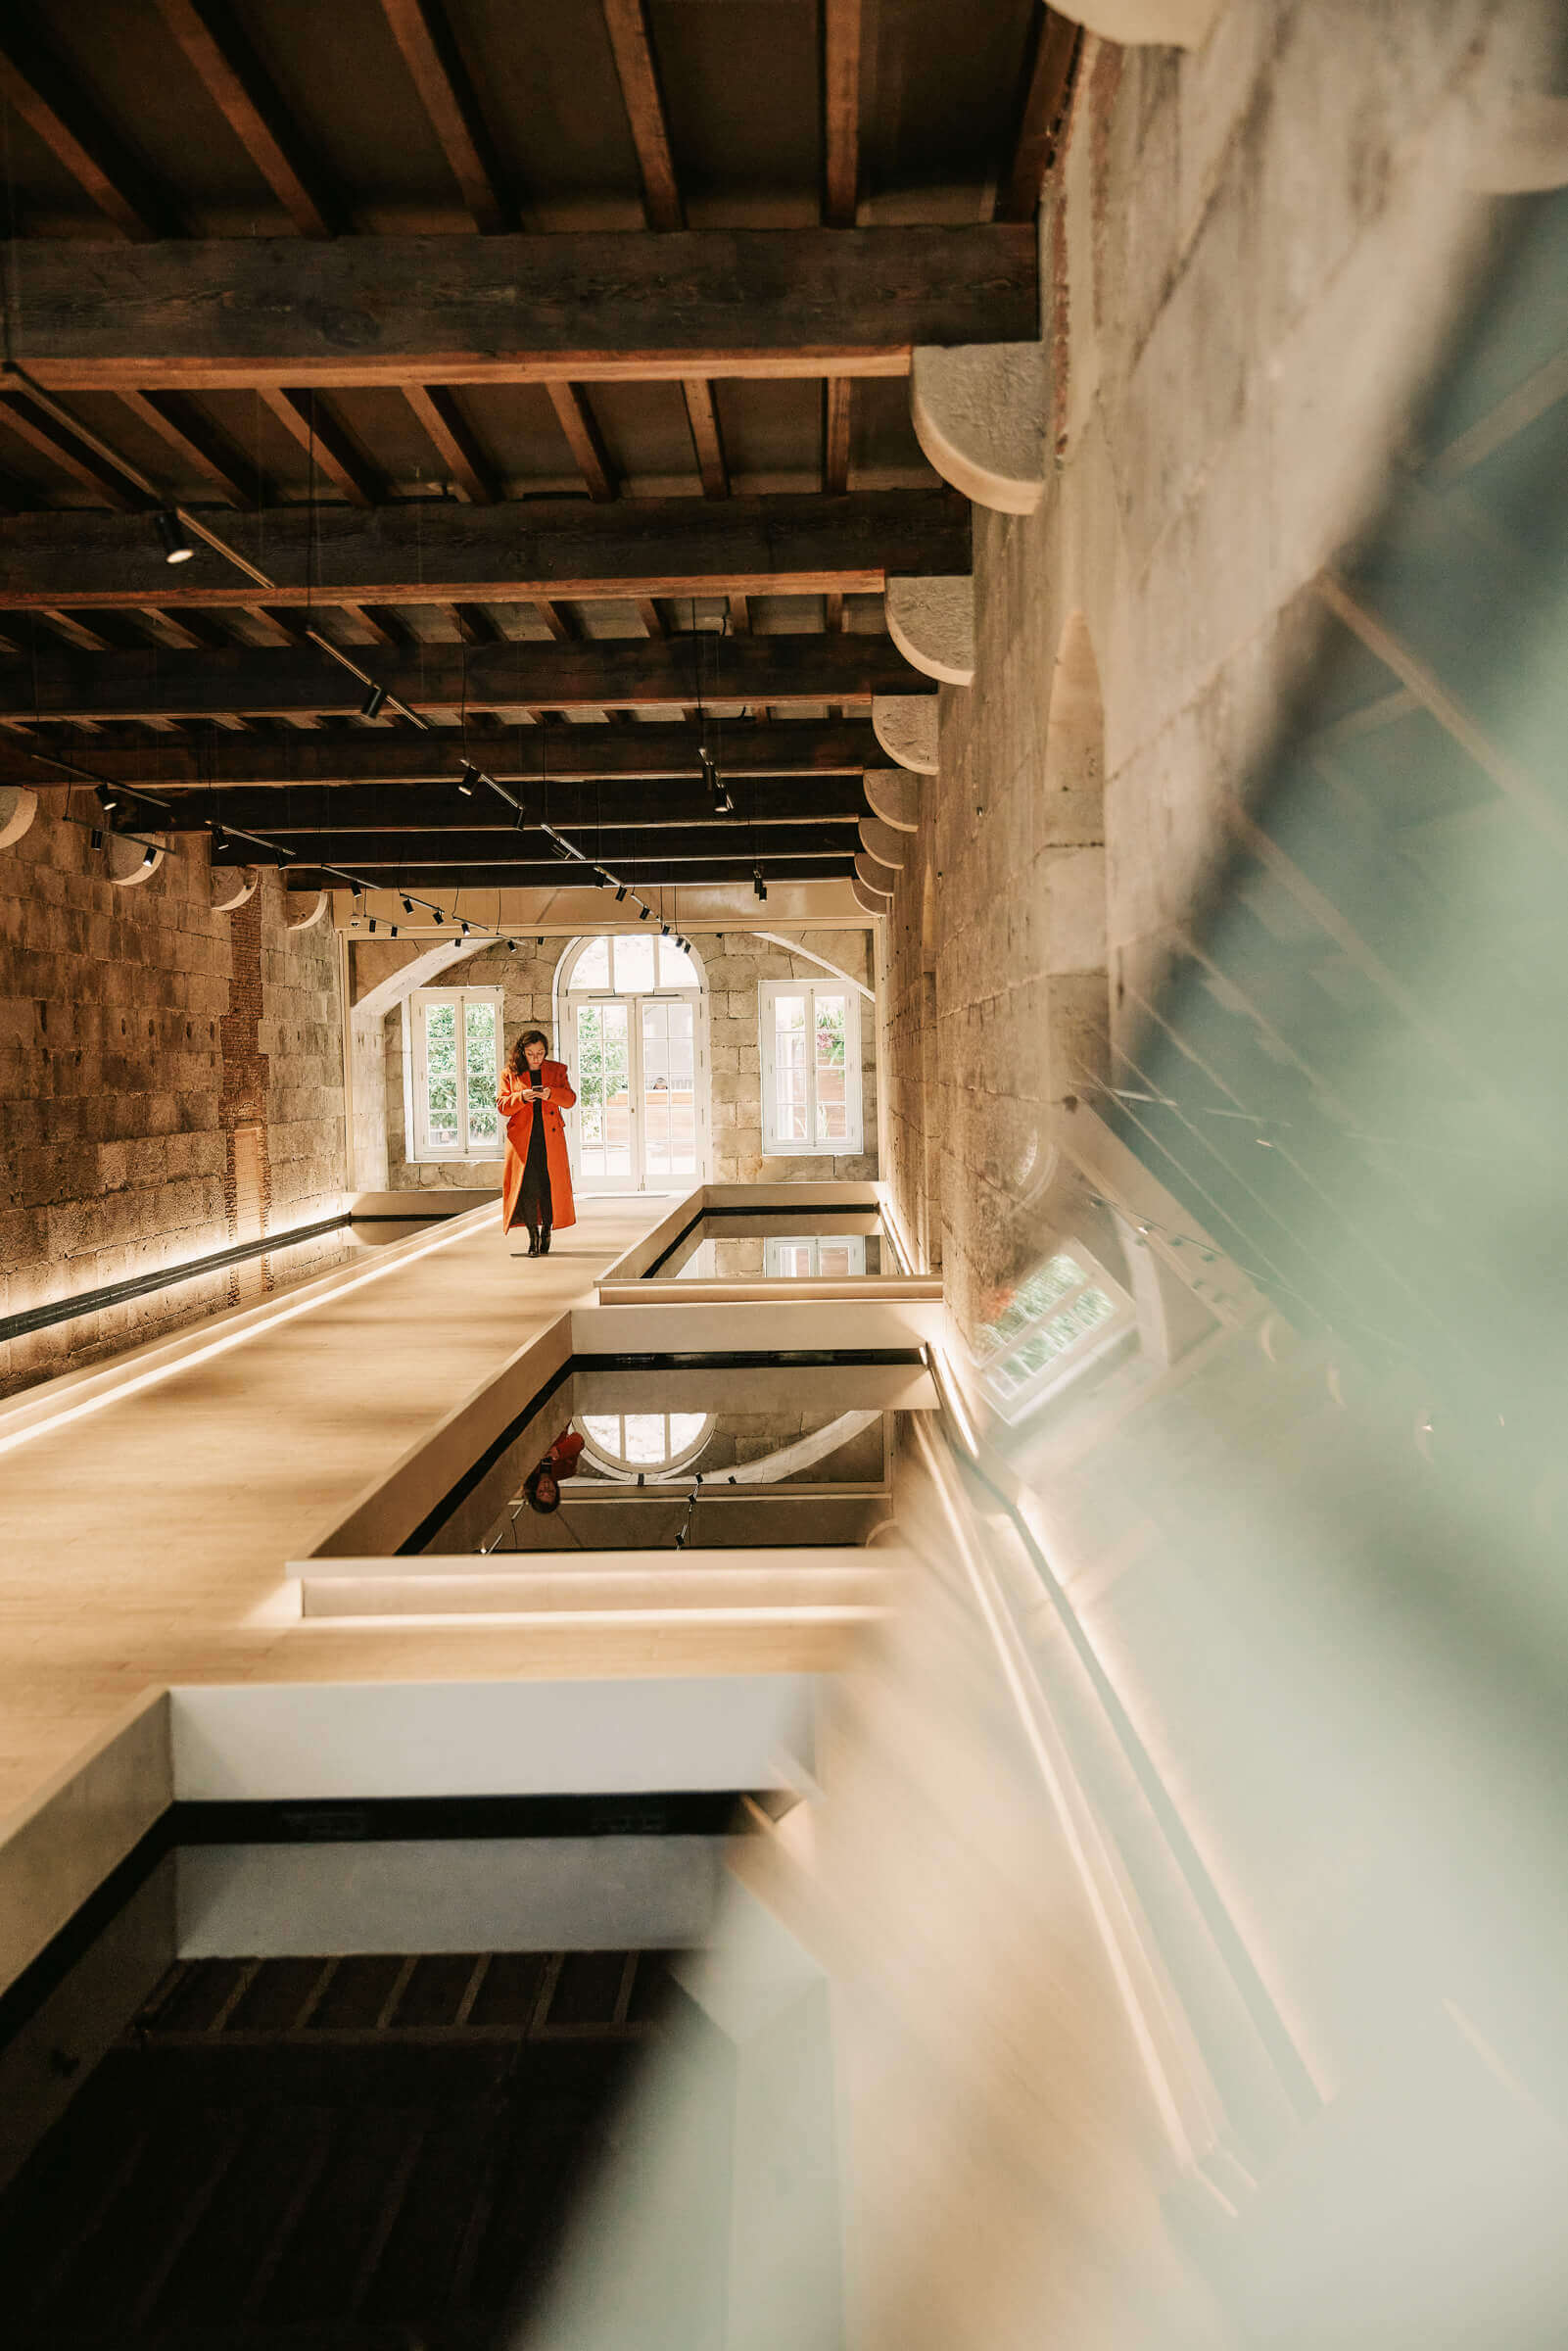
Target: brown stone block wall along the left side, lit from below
138	1033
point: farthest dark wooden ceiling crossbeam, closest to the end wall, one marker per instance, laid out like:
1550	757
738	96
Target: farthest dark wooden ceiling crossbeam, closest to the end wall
509	845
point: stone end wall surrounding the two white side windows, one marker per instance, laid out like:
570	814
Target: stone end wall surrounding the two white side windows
735	965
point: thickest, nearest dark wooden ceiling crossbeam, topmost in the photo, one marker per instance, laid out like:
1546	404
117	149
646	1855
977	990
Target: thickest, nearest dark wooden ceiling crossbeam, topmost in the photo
626	307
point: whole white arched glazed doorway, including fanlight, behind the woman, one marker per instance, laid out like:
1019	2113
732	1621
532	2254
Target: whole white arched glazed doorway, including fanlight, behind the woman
634	1029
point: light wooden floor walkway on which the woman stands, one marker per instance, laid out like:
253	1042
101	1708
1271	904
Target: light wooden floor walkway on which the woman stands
145	1543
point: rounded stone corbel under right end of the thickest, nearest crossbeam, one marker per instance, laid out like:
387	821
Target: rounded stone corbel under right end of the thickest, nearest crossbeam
981	415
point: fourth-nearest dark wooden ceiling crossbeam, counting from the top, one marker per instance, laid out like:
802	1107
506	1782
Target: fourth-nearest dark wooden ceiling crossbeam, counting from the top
626	751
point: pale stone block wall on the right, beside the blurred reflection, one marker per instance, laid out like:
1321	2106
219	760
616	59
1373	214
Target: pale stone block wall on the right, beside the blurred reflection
1252	257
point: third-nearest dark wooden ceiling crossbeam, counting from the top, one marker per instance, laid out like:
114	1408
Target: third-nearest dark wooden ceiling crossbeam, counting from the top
612	674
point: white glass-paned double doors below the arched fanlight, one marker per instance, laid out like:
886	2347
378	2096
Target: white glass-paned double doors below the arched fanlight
636	1069
